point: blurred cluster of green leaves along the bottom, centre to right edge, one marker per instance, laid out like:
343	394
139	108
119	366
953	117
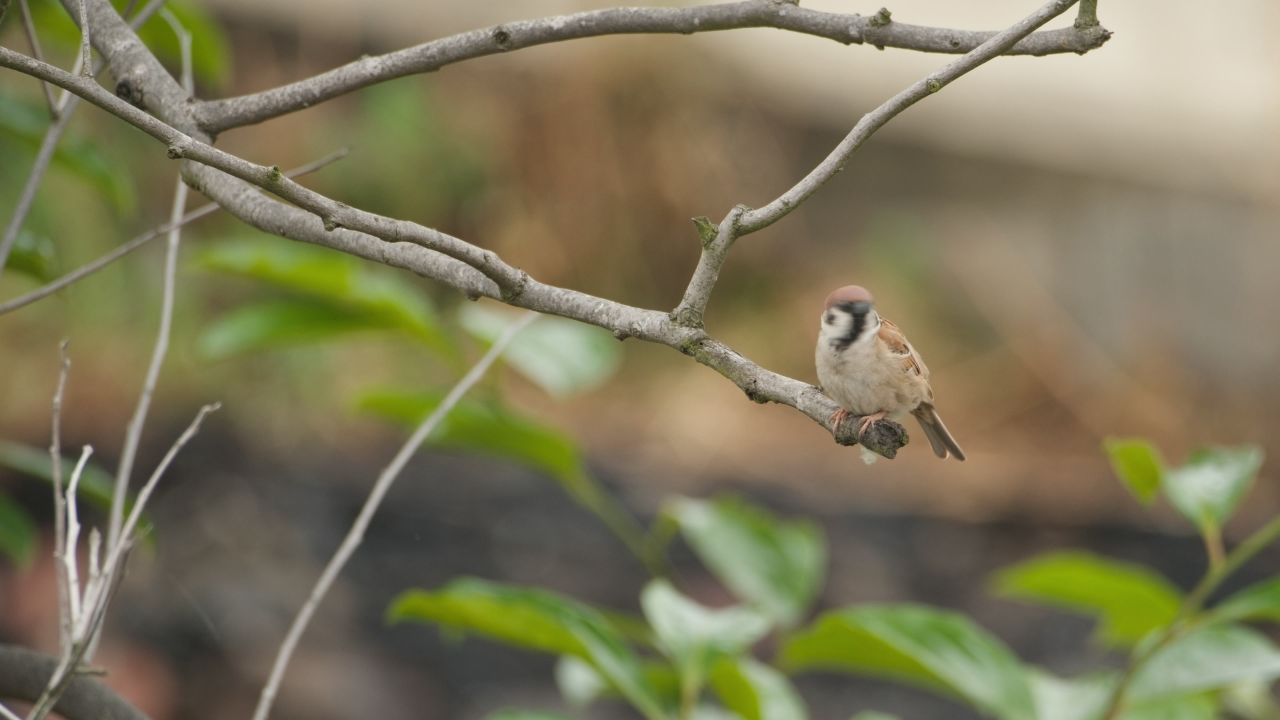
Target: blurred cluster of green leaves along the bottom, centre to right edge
1186	663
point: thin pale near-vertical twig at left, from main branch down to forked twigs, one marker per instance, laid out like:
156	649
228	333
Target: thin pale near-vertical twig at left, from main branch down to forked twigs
134	432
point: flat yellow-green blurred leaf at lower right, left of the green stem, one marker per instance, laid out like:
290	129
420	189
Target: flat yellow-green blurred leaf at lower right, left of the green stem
1128	600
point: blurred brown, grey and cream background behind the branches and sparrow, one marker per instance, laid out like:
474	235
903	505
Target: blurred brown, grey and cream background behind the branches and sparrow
1080	247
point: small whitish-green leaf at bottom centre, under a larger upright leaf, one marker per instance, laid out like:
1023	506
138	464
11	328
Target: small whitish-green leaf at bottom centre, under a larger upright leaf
694	636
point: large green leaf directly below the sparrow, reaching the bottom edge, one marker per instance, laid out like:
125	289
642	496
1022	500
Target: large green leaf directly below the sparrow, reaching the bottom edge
921	646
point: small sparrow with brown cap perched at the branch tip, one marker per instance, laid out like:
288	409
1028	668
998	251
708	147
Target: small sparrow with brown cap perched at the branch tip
868	367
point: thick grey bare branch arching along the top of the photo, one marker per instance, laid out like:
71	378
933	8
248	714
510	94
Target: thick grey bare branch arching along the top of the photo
218	116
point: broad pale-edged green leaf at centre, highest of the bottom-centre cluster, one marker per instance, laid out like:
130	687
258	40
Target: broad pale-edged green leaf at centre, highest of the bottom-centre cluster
774	566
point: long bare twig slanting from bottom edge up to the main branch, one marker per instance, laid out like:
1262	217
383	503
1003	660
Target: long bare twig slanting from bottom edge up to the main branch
356	535
